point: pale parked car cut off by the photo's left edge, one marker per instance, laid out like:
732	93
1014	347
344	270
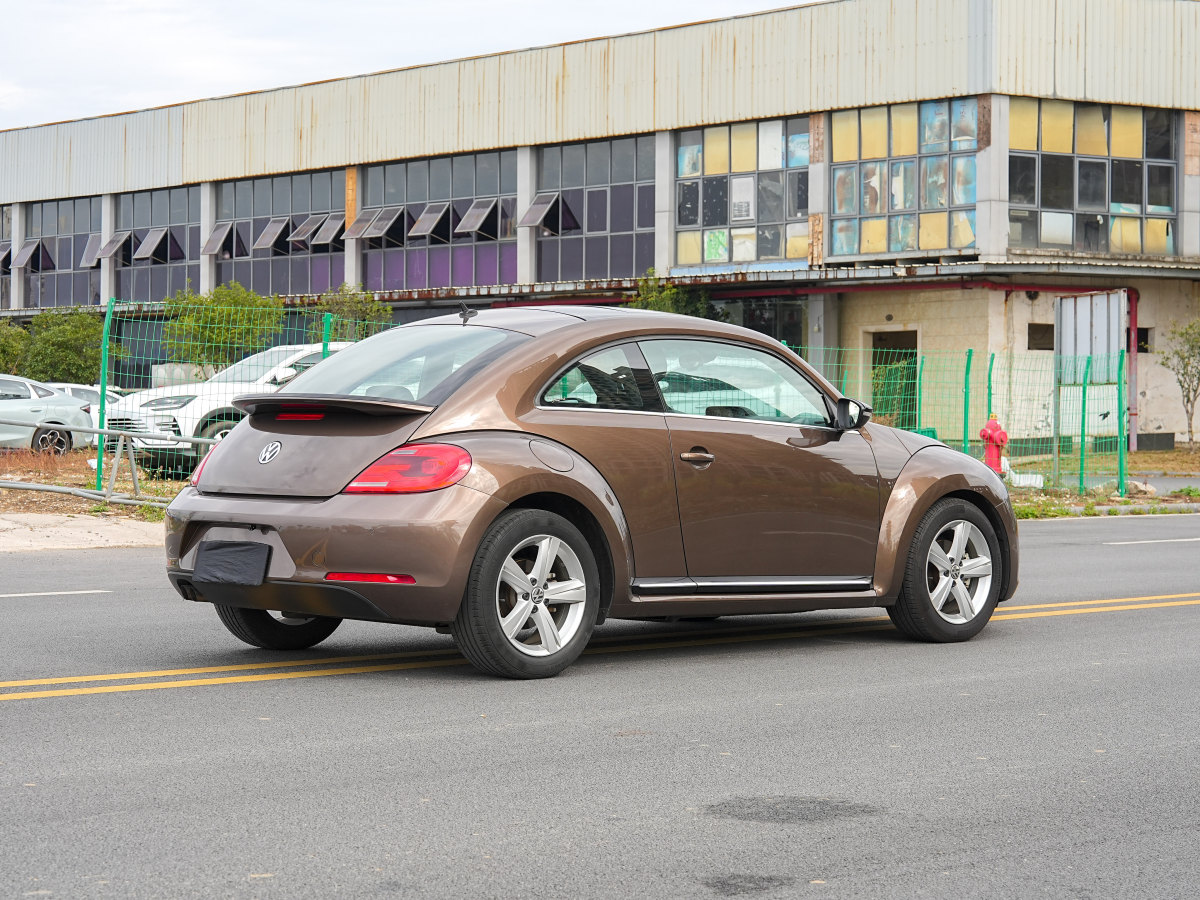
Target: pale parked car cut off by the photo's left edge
34	404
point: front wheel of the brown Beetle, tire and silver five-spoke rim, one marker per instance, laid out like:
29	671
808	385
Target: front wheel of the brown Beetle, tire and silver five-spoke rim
952	581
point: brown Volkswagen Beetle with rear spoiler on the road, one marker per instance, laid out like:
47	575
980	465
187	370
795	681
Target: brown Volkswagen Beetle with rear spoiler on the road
524	475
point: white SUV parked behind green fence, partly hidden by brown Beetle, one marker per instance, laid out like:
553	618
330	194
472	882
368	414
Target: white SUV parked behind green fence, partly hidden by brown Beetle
205	410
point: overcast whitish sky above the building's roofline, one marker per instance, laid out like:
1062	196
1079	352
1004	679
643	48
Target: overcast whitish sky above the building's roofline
70	59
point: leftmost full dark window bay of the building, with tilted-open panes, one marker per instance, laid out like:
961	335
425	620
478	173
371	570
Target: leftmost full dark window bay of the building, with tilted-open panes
61	253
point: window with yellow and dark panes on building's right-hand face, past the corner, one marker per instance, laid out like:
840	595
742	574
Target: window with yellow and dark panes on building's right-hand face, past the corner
1091	178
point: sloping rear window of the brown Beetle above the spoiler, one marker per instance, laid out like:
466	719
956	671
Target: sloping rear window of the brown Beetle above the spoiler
423	364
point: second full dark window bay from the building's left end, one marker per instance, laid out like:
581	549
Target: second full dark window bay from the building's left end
157	245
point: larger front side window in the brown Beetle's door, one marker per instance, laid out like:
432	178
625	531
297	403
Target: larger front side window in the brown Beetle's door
733	381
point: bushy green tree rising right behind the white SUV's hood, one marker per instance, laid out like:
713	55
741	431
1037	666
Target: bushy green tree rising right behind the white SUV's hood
223	327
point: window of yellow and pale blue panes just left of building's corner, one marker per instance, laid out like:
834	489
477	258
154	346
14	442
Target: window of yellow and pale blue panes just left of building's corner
901	182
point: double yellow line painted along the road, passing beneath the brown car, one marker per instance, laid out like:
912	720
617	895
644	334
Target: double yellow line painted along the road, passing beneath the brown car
325	667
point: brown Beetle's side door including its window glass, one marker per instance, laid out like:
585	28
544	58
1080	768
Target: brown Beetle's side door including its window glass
771	495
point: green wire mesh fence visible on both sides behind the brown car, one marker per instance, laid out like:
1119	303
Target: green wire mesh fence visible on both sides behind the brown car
1064	416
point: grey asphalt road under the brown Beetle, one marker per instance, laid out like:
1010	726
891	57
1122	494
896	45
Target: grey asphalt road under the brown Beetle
145	753
